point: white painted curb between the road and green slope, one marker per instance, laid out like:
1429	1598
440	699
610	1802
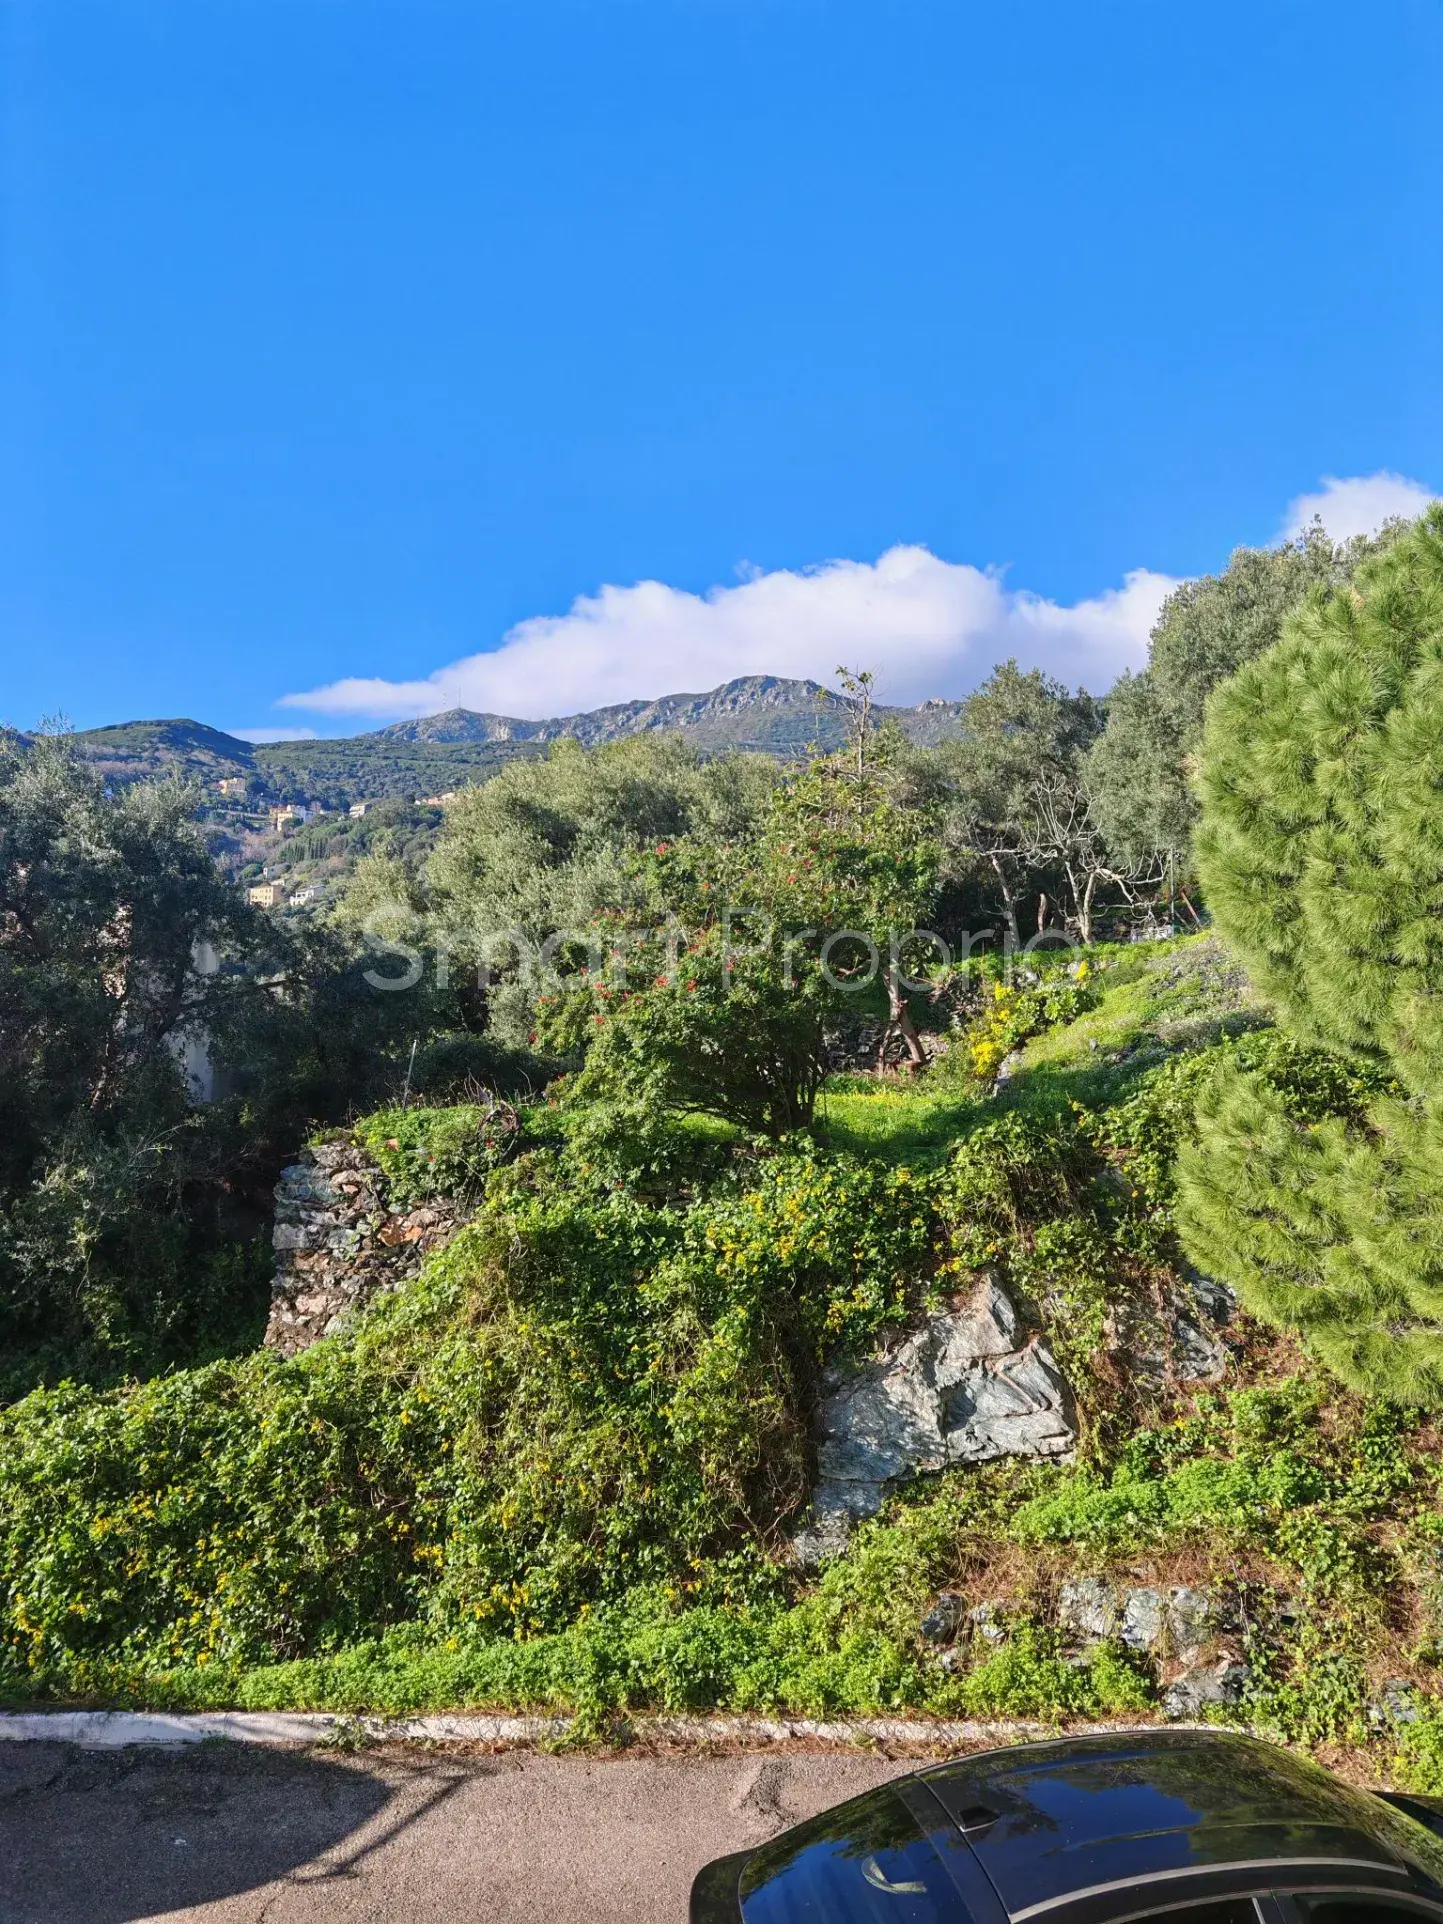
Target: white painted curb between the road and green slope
109	1731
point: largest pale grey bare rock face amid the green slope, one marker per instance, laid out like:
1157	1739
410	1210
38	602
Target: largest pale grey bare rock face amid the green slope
963	1388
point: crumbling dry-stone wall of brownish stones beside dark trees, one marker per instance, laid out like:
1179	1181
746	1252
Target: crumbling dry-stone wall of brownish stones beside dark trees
340	1242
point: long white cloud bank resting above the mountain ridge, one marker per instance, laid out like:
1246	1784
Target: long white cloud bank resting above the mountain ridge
923	624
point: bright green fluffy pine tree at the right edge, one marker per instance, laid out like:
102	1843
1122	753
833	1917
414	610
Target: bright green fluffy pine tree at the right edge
1321	851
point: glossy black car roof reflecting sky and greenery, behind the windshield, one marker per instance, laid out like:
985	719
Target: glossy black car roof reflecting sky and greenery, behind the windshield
1053	1823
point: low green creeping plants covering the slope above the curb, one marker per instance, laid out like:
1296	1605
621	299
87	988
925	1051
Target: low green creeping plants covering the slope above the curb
334	1532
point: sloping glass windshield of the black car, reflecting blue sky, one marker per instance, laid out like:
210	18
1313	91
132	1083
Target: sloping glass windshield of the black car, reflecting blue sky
867	1863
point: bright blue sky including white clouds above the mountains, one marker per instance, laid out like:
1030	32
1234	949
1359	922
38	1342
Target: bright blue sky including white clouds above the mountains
340	338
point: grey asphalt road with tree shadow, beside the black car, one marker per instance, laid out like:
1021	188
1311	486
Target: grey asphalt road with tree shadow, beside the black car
230	1835
